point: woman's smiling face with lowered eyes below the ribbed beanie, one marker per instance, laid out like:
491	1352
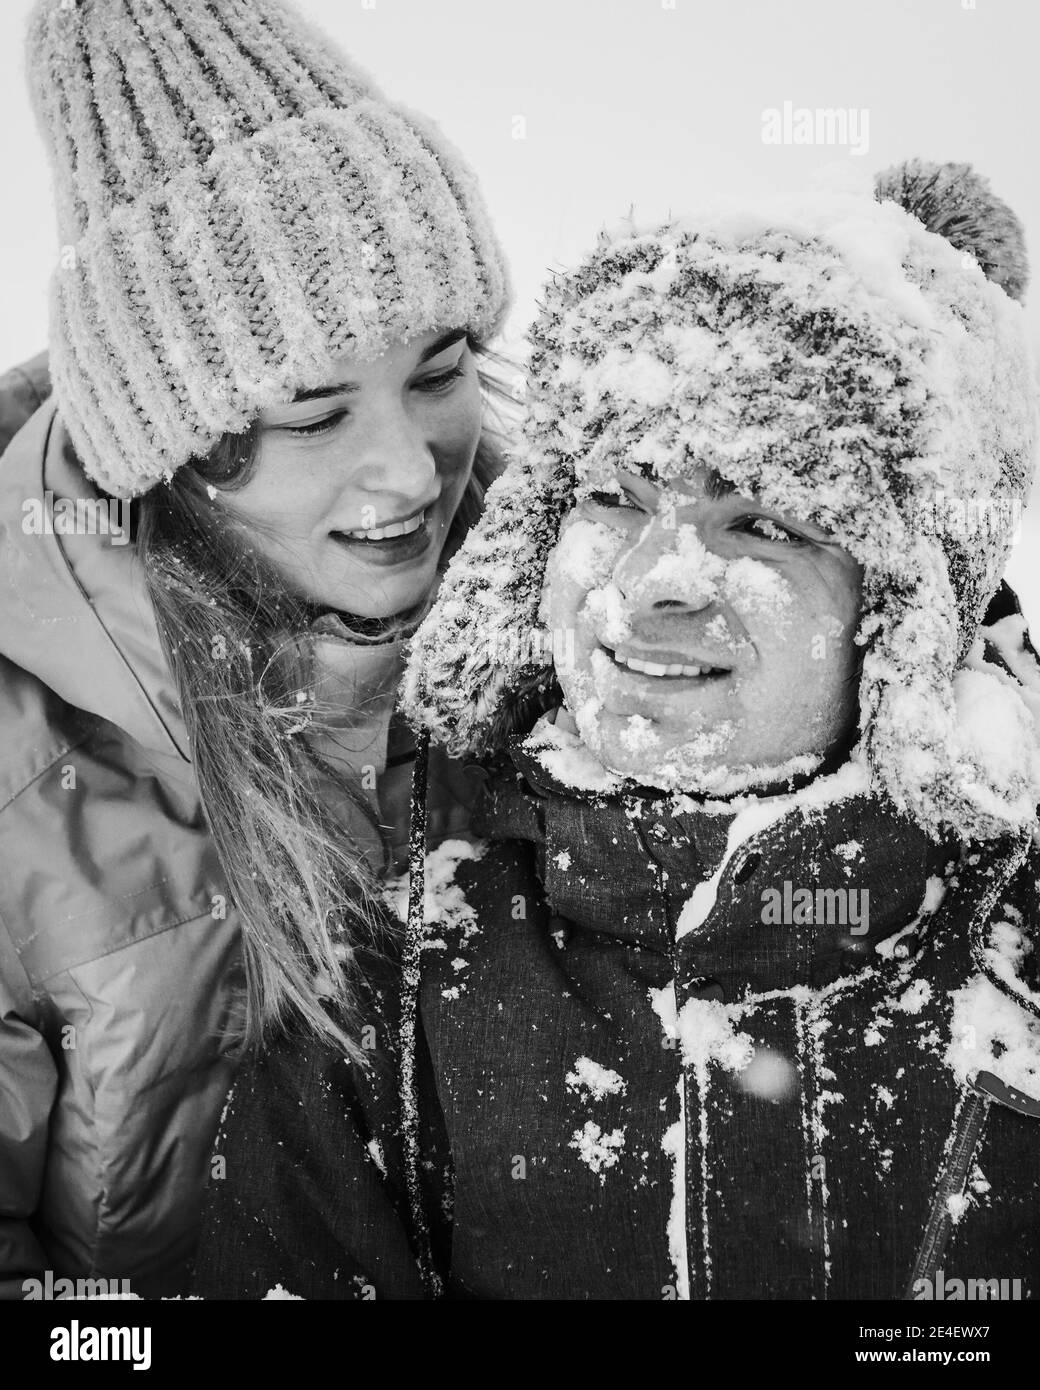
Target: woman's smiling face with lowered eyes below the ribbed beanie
357	483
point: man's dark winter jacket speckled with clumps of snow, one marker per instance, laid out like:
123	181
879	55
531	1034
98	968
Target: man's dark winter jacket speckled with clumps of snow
671	1056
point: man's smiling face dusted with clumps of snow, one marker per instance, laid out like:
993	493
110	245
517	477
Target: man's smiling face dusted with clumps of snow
701	635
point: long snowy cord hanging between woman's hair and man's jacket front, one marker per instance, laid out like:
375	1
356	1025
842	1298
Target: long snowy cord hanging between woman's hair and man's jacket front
409	1015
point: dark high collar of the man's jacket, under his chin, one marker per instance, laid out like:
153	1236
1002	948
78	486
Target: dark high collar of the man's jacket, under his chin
726	894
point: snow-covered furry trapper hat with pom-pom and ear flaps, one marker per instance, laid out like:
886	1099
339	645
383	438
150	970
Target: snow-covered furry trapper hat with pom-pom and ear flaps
850	366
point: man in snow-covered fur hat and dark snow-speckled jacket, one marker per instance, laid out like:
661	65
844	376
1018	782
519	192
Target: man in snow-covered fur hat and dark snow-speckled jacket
738	999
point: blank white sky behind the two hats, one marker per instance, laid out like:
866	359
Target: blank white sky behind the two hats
649	104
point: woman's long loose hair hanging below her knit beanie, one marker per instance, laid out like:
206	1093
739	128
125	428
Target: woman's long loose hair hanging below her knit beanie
307	900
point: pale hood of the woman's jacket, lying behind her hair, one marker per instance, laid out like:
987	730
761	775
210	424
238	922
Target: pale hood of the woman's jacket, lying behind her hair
74	611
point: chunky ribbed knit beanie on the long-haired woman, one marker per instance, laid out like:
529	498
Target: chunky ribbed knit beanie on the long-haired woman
236	204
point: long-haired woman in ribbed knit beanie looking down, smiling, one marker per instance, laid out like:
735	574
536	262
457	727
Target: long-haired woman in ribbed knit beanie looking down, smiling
273	293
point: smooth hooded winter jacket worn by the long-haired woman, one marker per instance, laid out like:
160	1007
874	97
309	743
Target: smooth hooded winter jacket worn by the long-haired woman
119	946
